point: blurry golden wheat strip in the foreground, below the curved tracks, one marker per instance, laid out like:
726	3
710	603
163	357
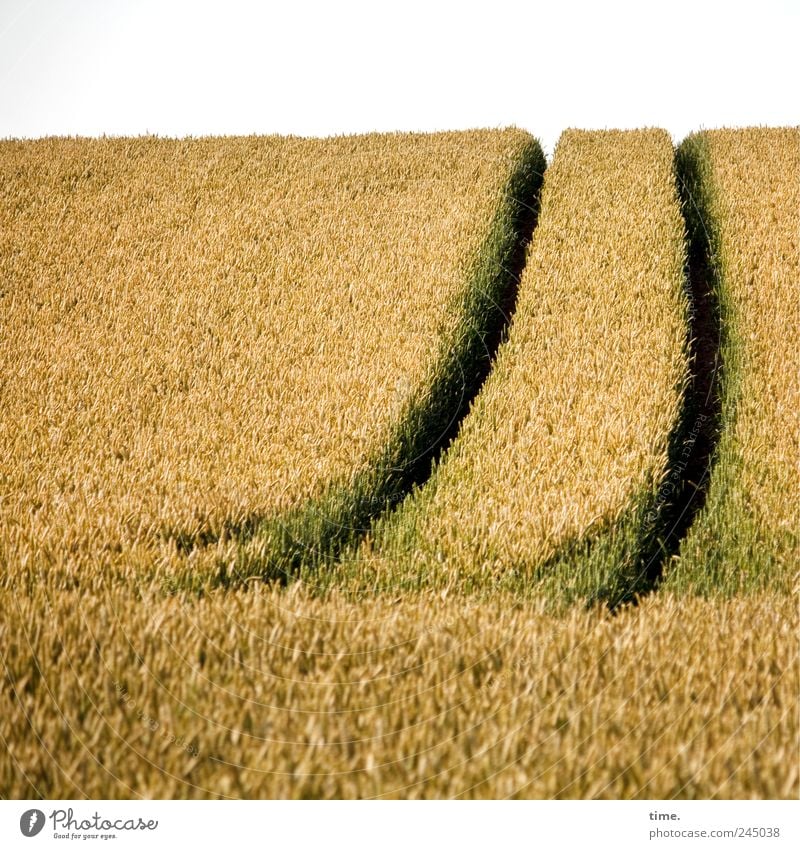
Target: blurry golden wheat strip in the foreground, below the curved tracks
274	694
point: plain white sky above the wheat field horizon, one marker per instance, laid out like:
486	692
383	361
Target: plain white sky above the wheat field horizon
191	67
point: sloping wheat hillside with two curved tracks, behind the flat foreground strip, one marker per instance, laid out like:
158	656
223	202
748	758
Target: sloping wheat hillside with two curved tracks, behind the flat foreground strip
226	358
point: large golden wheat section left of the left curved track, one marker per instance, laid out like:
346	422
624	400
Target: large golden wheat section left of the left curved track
249	337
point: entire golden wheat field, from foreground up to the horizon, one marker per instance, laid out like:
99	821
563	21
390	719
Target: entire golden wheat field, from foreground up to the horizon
308	492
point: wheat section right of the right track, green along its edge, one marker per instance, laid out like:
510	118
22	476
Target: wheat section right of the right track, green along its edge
746	187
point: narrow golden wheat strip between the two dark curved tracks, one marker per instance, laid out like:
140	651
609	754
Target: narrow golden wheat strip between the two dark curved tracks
554	479
